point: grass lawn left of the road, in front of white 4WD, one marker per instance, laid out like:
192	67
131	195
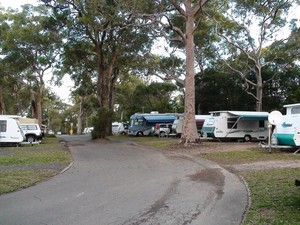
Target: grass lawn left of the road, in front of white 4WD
24	166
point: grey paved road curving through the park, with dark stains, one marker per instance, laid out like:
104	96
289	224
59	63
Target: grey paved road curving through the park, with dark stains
121	183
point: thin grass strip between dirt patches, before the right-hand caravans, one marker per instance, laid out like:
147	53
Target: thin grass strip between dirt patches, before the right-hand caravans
247	156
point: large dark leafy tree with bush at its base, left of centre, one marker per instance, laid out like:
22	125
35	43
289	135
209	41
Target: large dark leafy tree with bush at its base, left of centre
116	35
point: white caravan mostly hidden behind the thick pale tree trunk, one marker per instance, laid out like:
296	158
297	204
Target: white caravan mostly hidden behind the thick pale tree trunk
177	124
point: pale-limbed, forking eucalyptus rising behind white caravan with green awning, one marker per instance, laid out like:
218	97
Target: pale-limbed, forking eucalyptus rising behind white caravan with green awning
247	28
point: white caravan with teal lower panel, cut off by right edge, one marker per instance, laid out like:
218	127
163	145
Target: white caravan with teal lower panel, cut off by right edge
287	132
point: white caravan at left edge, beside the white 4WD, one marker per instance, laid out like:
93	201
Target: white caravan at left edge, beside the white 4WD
10	131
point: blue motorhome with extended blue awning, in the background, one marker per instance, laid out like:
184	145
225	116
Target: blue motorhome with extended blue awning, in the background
143	123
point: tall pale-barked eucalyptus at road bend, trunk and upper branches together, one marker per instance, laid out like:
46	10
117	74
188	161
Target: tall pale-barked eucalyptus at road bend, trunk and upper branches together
179	22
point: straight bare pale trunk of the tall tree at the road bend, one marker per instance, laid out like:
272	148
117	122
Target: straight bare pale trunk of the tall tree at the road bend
189	129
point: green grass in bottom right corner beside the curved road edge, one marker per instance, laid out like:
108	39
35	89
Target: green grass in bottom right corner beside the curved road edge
274	197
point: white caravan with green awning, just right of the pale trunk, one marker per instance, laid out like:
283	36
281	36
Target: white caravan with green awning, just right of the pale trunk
246	125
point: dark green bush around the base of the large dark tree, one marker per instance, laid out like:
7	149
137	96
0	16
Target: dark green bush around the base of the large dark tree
102	124
